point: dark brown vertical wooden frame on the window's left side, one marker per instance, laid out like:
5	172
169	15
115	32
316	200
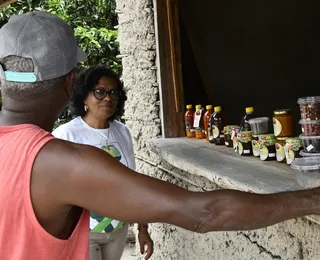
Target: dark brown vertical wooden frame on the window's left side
169	67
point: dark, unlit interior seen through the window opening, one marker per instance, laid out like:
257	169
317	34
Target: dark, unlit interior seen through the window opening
264	54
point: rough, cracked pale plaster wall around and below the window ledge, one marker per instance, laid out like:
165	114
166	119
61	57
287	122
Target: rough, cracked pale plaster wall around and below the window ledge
295	239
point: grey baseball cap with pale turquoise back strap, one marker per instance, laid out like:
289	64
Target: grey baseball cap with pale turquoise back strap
44	38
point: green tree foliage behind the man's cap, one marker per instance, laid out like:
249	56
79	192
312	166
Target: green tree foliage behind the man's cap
93	22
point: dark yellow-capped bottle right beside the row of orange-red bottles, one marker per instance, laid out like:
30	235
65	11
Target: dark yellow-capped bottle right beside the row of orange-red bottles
216	125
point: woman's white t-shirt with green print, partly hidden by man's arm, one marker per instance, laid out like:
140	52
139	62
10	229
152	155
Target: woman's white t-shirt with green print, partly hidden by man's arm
116	140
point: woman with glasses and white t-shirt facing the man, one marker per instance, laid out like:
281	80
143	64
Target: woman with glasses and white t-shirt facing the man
98	102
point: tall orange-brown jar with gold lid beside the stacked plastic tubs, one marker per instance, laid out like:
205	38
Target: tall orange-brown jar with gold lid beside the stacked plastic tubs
283	124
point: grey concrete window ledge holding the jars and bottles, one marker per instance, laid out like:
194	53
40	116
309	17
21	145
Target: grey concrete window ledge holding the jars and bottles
226	168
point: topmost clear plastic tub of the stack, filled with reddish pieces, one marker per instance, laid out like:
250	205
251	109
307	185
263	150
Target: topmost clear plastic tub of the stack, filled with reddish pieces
310	108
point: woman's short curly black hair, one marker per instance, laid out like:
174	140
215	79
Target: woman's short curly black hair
86	82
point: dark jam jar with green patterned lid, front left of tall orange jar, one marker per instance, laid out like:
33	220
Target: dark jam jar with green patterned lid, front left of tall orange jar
267	147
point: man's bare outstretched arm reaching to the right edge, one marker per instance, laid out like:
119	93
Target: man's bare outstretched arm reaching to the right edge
90	178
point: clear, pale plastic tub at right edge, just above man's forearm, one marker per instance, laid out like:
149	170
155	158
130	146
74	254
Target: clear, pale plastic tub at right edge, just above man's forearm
307	171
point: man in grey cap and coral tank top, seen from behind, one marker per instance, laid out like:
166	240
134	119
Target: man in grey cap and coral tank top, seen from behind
47	185
